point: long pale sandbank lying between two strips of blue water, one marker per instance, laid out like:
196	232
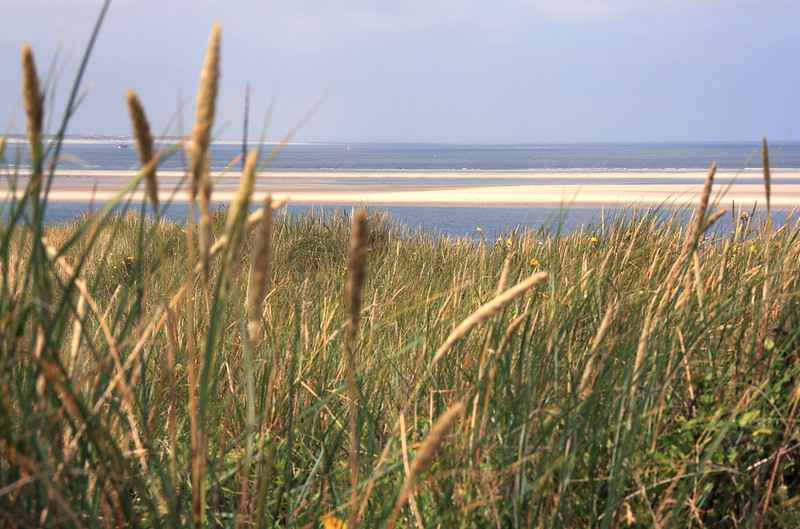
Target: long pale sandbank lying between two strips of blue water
474	188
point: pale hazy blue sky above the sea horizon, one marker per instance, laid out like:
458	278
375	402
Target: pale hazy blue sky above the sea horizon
502	71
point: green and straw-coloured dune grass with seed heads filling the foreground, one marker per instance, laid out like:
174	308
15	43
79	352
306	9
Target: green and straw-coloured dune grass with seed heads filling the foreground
639	372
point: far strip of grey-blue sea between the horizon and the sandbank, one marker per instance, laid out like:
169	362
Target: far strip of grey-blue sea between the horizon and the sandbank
340	157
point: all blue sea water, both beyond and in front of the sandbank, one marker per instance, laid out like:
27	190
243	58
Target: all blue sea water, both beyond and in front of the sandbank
454	221
